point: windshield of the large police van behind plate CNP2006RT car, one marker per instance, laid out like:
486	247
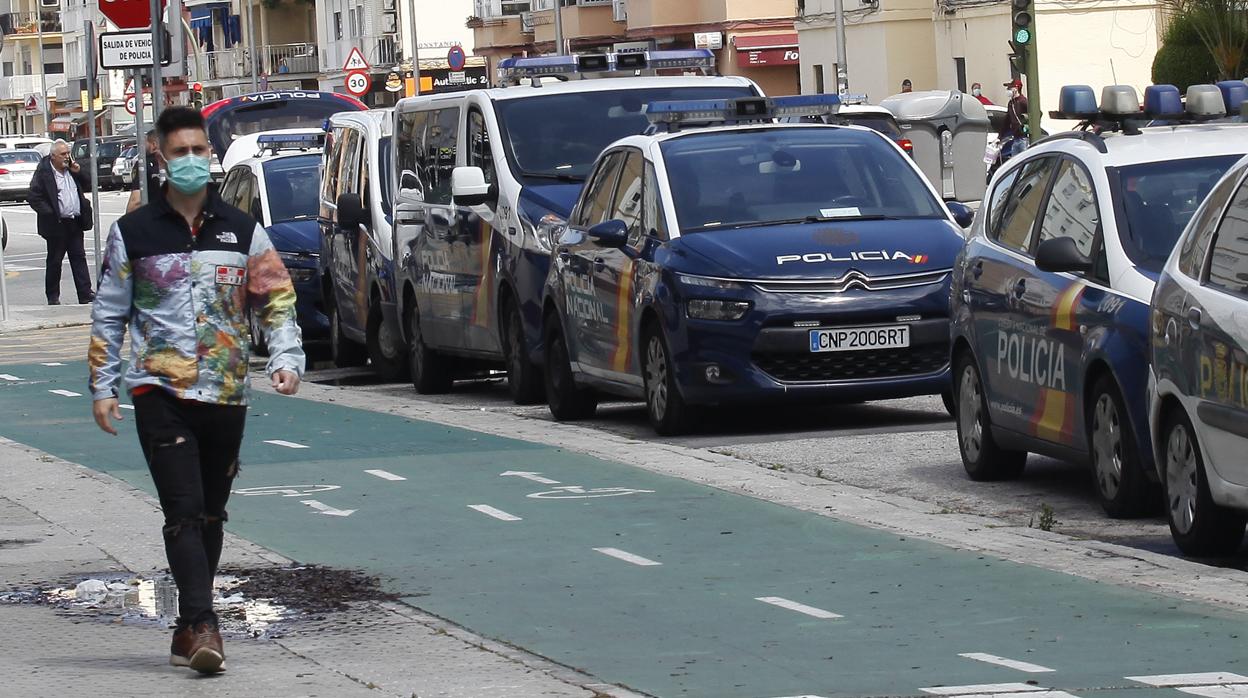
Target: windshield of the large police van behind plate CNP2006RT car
560	137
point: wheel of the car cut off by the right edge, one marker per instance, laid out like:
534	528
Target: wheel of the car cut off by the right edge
1199	525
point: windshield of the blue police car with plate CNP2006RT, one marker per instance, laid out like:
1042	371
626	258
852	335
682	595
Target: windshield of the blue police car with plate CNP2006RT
741	179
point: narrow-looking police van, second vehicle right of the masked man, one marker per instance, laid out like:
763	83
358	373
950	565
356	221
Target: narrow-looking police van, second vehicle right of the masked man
358	252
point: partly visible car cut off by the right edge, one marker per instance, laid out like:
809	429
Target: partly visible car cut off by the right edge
1199	378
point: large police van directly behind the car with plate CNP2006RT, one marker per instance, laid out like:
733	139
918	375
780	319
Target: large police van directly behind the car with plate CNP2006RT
479	173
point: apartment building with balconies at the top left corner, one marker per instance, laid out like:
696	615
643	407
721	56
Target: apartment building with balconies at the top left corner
32	64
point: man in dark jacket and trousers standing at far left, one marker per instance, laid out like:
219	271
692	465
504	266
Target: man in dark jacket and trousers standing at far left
58	197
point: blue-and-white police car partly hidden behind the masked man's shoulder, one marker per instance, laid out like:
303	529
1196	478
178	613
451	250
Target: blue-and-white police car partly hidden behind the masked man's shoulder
276	178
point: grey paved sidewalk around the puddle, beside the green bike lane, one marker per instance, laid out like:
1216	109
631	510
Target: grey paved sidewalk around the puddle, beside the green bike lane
62	524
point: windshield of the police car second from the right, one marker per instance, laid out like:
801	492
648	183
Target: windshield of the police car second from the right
1159	199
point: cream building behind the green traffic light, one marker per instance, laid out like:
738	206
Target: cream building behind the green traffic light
952	44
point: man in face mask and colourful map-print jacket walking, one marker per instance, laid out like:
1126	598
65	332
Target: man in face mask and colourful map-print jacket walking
184	273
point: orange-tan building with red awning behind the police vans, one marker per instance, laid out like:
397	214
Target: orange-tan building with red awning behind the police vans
751	38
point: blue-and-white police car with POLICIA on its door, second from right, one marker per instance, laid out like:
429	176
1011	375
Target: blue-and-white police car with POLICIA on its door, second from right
1050	298
